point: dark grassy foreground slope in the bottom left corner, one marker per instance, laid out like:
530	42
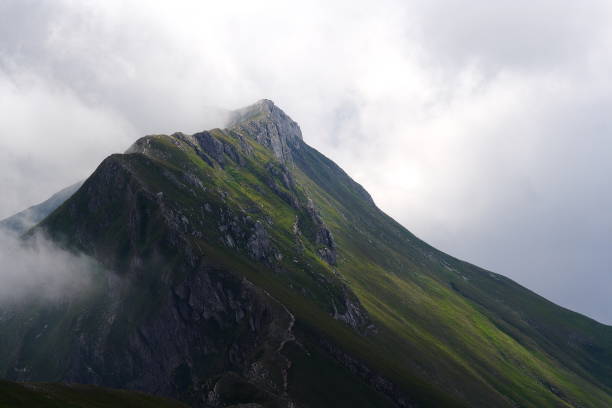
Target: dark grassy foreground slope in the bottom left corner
46	395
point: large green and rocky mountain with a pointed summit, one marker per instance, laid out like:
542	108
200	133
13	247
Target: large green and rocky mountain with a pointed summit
241	266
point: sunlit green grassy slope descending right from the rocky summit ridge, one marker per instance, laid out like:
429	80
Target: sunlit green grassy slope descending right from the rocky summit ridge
511	339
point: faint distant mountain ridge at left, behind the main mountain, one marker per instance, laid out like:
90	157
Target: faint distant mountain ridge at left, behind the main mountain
26	219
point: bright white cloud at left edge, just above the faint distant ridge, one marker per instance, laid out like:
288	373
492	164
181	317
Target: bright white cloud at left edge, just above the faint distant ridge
49	138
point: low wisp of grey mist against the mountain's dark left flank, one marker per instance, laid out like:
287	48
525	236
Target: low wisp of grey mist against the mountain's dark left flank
38	269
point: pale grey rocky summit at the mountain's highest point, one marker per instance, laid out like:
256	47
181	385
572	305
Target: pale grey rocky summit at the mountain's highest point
268	125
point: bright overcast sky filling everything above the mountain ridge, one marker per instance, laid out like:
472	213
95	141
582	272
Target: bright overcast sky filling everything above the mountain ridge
485	127
